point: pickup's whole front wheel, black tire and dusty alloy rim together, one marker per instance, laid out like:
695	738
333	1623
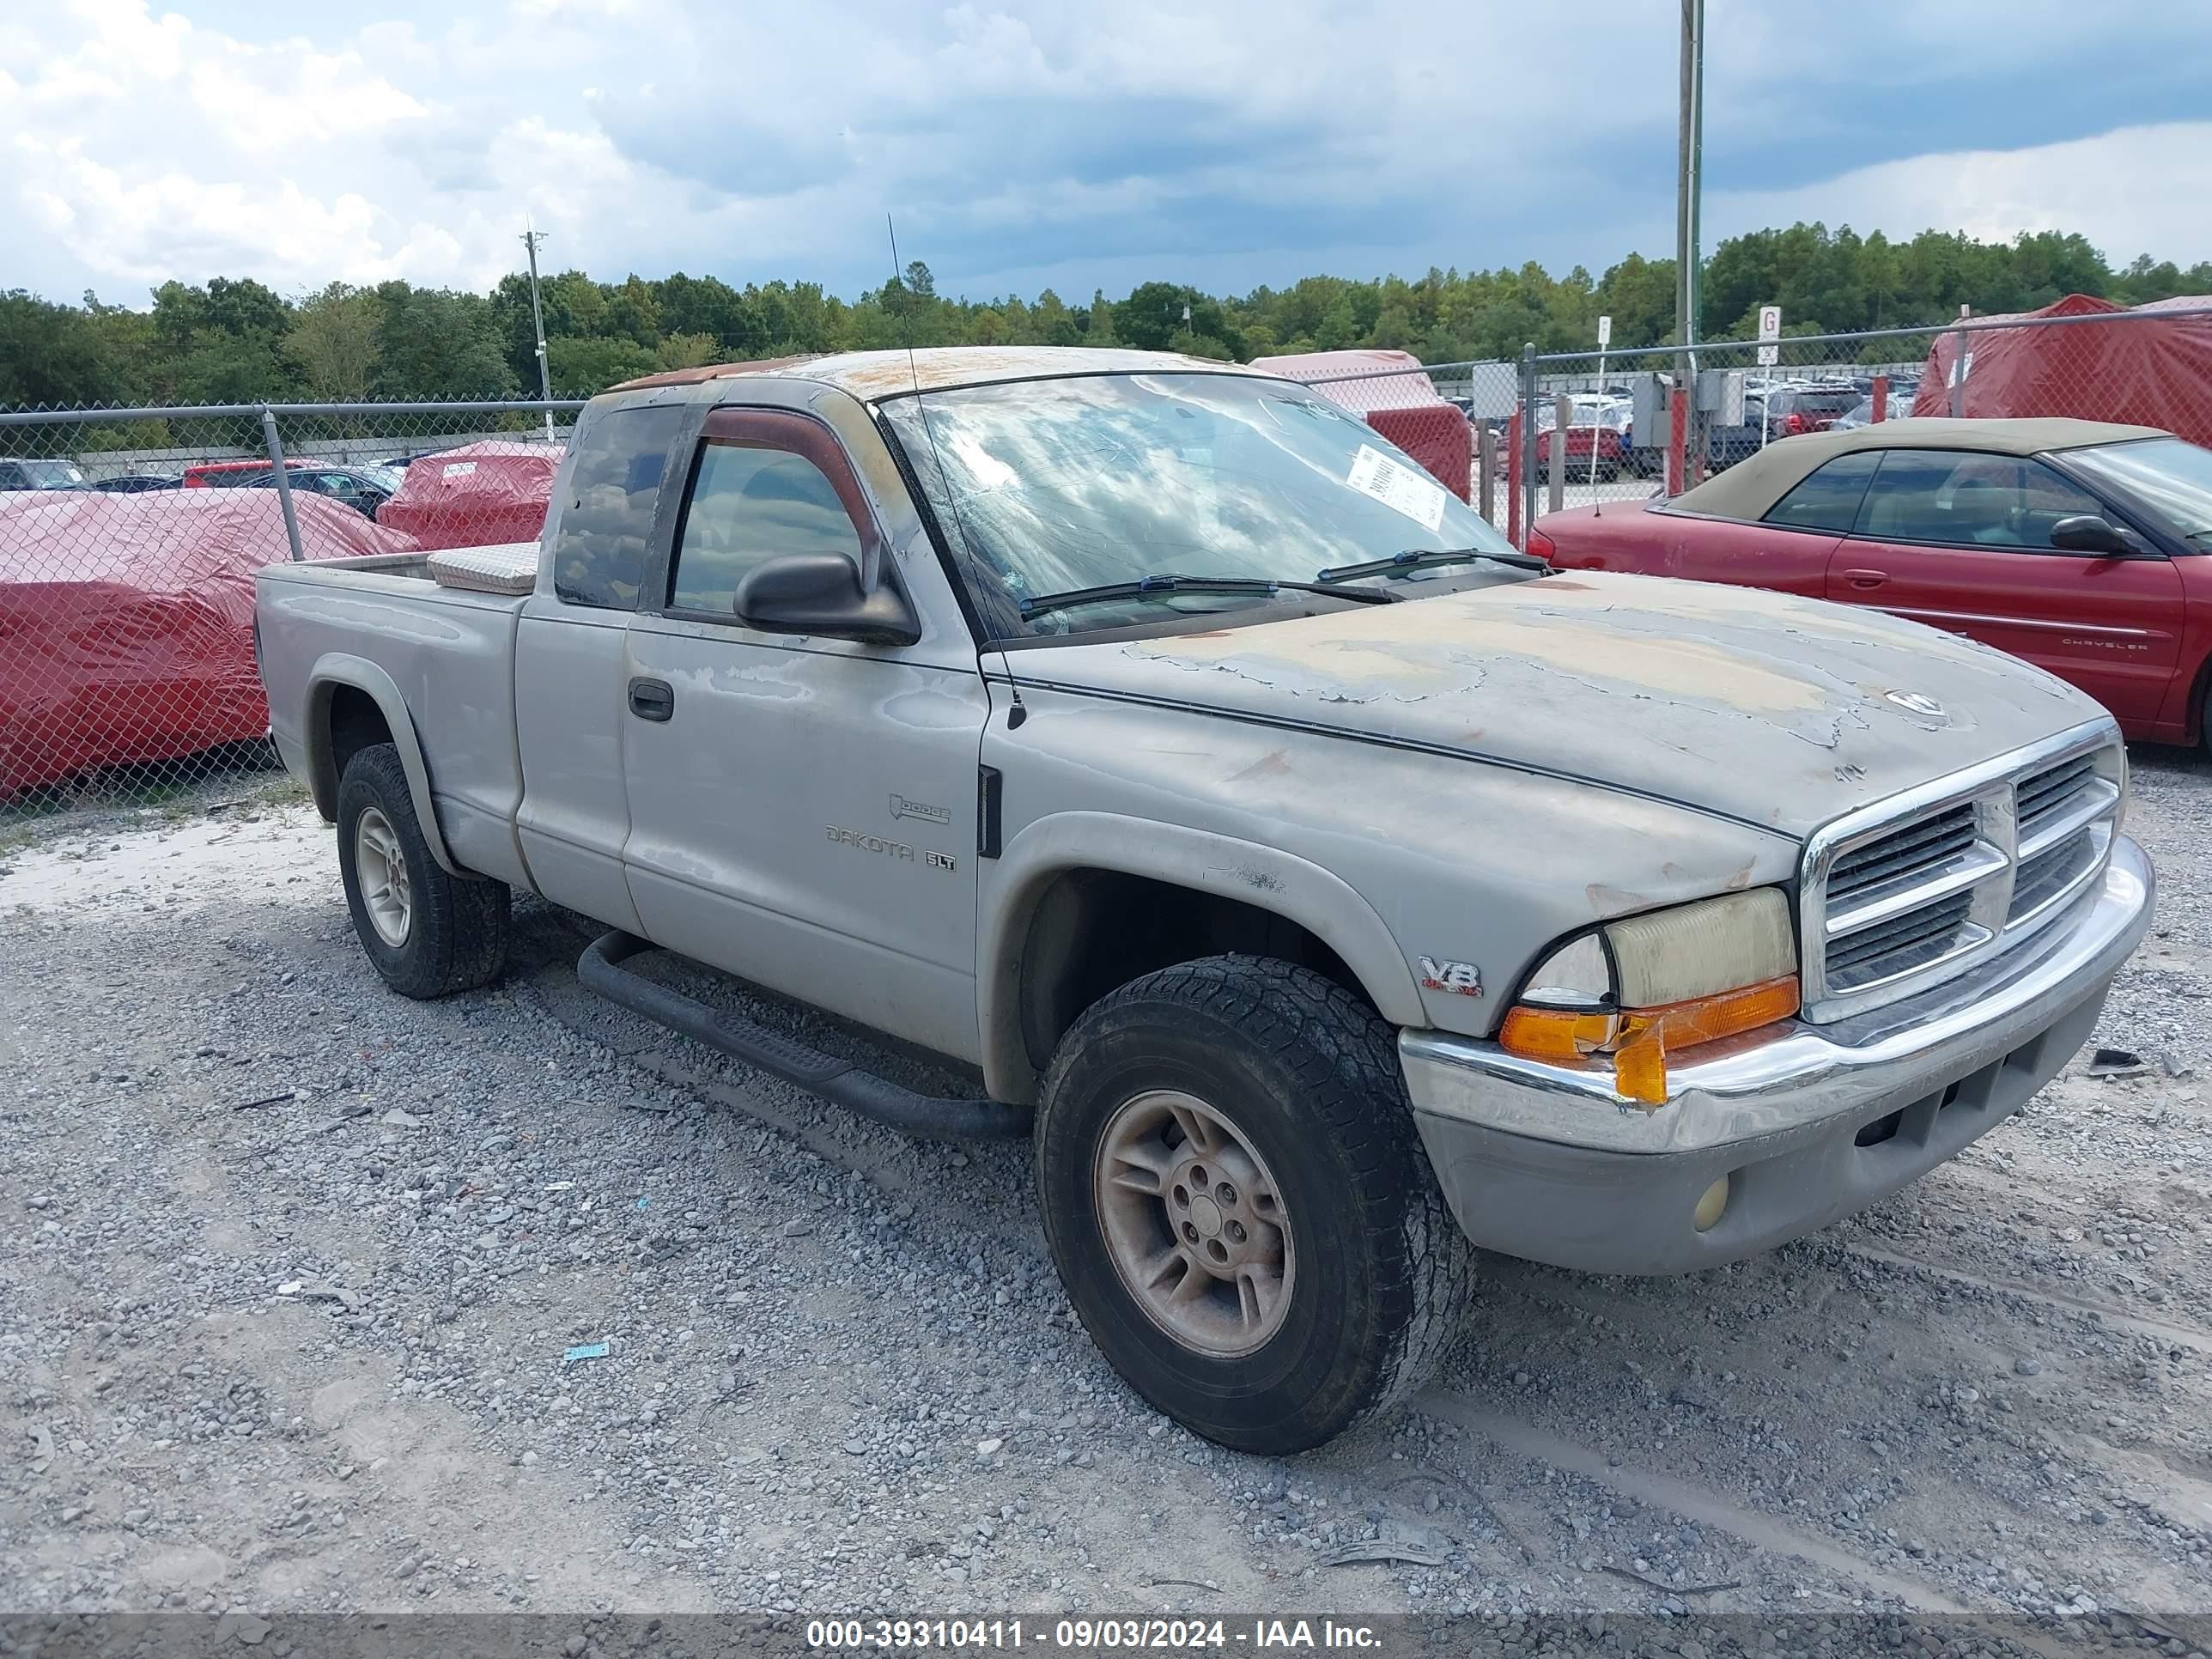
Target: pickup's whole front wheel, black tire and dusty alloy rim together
1240	1207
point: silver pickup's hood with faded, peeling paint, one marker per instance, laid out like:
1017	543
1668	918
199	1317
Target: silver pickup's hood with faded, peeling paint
1753	705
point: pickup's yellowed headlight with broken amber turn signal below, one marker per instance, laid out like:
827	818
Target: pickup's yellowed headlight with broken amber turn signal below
1660	983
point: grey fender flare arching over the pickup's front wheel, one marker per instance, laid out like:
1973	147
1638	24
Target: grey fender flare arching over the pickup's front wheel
1180	857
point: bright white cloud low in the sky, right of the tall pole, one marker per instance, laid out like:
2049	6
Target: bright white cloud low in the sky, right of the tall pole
2129	191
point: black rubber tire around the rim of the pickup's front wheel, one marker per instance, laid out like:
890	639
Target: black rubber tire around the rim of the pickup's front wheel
1311	1078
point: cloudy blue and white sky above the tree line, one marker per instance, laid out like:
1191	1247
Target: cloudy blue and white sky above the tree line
1032	143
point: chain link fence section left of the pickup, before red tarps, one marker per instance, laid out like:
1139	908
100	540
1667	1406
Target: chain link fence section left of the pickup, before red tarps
129	541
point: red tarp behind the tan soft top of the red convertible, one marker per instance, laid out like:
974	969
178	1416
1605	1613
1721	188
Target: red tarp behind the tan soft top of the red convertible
2142	368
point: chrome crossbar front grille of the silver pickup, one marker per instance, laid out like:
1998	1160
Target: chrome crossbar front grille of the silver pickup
1910	893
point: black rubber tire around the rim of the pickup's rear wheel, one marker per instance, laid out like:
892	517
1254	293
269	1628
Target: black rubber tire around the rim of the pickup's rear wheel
457	928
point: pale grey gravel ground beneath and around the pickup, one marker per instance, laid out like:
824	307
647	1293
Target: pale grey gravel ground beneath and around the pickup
304	1300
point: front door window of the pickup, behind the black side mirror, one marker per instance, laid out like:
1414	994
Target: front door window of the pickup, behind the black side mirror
751	505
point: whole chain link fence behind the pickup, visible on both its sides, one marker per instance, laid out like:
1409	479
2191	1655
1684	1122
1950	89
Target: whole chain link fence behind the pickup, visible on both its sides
129	536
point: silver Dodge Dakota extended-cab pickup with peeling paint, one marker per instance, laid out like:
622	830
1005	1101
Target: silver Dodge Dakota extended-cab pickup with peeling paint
1295	862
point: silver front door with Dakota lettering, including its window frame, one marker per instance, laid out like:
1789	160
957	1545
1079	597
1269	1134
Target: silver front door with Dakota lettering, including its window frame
802	811
